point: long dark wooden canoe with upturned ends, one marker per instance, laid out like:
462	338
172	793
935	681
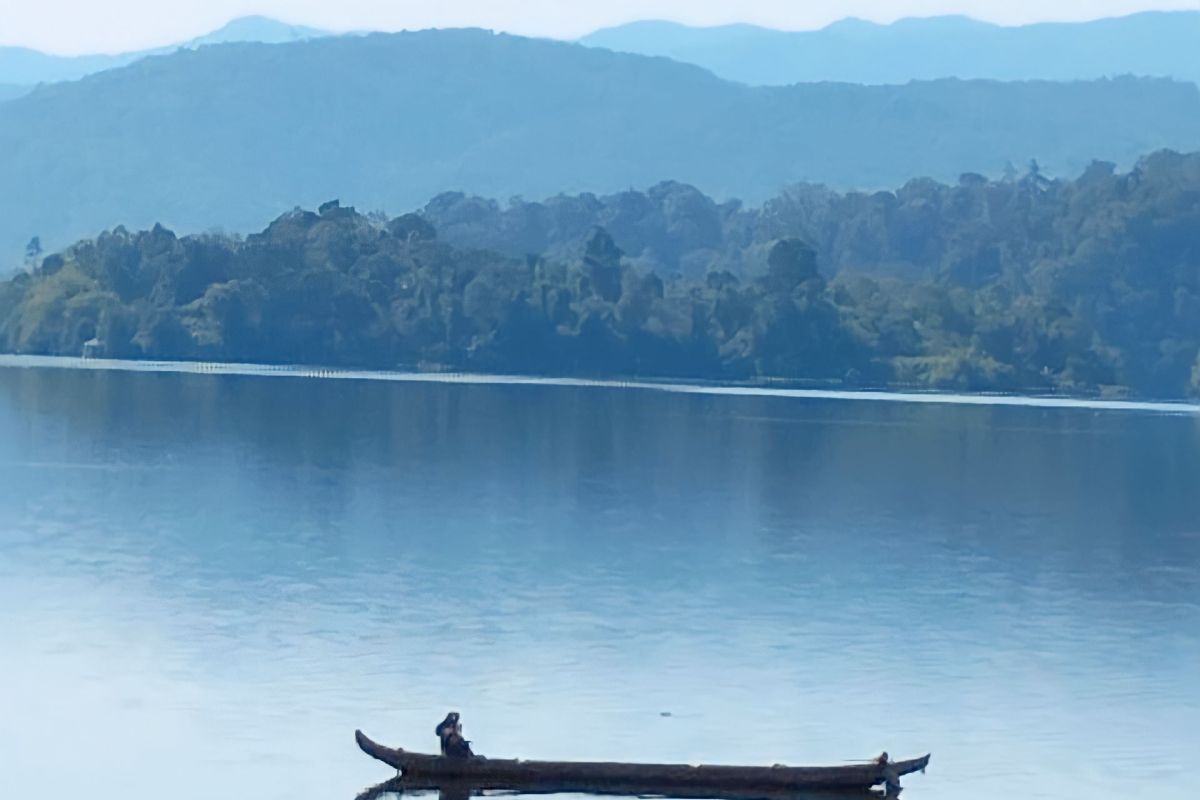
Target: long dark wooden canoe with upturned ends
657	779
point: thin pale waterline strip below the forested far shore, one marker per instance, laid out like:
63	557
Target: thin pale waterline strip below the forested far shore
9	362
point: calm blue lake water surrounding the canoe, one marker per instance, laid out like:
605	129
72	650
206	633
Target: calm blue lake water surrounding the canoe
209	582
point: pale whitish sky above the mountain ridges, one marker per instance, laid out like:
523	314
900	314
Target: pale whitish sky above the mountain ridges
73	27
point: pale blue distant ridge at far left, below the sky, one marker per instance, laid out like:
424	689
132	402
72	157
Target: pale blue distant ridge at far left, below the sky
23	68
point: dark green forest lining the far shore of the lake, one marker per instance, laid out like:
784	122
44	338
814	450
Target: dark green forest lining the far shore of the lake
1090	286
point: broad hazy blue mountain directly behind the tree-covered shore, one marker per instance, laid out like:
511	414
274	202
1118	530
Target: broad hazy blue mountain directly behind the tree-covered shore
233	135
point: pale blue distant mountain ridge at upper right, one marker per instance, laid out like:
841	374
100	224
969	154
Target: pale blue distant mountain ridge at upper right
855	51
